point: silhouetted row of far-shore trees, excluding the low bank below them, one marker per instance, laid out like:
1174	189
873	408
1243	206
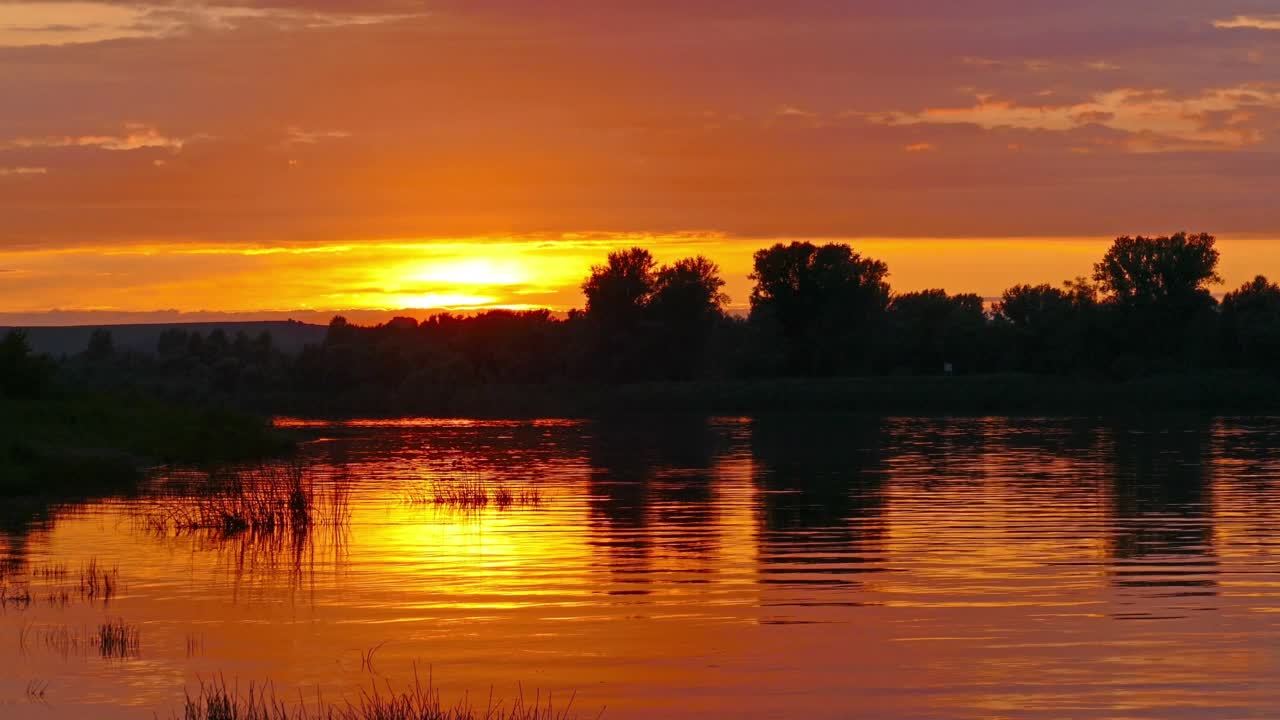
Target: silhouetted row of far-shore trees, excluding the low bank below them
816	311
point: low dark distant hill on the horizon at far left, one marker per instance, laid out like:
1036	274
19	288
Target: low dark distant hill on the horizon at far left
289	336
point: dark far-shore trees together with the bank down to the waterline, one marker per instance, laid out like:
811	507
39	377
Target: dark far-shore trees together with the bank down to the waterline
825	331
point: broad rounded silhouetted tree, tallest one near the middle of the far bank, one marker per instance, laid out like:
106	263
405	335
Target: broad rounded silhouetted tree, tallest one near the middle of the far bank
825	303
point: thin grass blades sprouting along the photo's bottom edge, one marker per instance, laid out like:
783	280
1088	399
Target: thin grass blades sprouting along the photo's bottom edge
216	701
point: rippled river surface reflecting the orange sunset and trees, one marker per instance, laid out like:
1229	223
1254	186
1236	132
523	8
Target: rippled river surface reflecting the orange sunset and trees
707	568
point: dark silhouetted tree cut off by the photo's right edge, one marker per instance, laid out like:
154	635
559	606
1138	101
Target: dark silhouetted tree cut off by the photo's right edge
1251	325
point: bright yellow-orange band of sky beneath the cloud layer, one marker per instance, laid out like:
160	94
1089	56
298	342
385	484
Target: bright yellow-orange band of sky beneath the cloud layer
467	275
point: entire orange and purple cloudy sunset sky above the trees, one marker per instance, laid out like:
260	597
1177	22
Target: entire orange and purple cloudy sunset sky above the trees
290	157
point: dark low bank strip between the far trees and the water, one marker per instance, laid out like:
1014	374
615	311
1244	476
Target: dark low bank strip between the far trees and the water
1219	394
